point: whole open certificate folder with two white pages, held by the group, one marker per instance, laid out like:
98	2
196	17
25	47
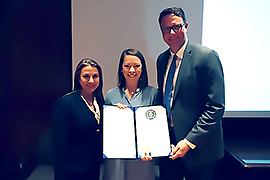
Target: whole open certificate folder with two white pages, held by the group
132	132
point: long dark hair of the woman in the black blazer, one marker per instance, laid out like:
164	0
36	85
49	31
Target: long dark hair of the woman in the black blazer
77	85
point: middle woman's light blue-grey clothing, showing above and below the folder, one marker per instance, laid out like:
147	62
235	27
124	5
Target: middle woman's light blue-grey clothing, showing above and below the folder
123	169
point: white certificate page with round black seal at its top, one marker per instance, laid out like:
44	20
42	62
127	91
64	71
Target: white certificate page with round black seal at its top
152	131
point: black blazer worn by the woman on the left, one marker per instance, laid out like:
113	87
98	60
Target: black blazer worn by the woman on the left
77	144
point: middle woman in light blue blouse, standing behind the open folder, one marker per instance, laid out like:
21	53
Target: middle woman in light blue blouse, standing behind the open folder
132	90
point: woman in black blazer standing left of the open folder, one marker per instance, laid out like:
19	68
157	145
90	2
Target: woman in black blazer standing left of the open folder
77	126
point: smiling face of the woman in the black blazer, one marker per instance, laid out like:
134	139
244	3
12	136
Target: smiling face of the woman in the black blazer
89	79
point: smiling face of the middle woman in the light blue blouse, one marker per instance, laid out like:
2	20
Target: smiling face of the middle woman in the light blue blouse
132	68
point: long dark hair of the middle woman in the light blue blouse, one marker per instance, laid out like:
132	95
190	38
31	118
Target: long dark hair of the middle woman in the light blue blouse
143	80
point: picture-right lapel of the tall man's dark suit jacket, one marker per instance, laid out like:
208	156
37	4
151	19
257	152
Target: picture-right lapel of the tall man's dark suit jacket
183	67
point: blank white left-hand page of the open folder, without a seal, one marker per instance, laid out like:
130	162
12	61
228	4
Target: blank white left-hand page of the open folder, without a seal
118	133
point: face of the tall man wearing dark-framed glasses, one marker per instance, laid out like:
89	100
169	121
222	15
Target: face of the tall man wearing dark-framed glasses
174	31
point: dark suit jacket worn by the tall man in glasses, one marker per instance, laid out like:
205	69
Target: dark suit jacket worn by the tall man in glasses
198	102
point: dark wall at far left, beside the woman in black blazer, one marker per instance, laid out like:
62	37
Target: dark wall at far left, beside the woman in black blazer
35	70
